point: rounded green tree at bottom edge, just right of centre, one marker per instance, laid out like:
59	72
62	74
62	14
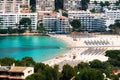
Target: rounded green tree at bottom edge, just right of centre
68	72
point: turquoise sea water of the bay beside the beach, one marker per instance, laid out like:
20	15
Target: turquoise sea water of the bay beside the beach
40	48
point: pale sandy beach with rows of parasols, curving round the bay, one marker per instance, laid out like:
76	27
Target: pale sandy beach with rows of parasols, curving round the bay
85	48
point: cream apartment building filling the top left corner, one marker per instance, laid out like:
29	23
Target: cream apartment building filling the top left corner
13	6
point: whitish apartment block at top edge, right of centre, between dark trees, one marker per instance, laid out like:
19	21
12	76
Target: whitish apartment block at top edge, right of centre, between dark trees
71	4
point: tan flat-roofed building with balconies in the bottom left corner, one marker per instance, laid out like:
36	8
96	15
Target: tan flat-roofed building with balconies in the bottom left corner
15	72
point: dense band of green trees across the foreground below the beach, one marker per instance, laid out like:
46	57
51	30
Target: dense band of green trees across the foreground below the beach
94	70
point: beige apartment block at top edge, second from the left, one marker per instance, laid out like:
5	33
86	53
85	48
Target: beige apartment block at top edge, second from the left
45	5
